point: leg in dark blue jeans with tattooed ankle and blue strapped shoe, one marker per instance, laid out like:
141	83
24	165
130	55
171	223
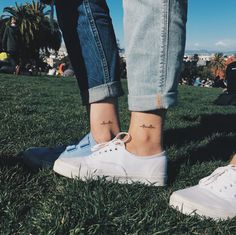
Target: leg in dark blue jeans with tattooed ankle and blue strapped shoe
91	44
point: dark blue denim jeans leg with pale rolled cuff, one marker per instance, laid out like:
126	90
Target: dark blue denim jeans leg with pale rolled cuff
91	44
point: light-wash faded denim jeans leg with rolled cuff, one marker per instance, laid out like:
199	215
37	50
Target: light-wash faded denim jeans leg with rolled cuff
155	32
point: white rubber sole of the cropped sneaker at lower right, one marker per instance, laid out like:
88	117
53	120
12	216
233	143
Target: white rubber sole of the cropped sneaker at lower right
190	208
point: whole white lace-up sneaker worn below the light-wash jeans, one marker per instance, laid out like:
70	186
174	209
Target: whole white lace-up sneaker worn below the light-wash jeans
113	161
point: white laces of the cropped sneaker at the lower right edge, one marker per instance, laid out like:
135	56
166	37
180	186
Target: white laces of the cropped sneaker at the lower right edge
216	174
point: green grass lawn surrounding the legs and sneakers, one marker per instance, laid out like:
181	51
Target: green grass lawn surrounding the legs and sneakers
42	111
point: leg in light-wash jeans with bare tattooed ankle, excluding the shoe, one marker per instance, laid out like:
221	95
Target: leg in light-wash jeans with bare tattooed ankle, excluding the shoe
155	46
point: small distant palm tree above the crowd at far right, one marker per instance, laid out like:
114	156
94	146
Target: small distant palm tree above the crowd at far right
217	64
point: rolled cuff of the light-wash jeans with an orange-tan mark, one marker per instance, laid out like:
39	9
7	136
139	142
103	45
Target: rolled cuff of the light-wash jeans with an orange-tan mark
152	102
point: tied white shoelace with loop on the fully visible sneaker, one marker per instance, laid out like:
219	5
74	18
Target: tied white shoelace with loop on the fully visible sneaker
118	140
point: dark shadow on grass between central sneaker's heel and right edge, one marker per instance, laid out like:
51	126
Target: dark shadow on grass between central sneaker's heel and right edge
220	146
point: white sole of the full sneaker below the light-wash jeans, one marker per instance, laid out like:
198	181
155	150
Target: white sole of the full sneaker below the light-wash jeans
67	170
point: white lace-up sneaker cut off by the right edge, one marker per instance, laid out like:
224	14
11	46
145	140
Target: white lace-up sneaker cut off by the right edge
214	197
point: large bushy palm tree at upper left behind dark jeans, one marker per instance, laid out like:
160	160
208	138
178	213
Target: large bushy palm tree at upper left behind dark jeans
38	32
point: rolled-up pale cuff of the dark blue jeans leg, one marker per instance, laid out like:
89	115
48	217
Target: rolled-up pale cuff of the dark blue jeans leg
102	92
